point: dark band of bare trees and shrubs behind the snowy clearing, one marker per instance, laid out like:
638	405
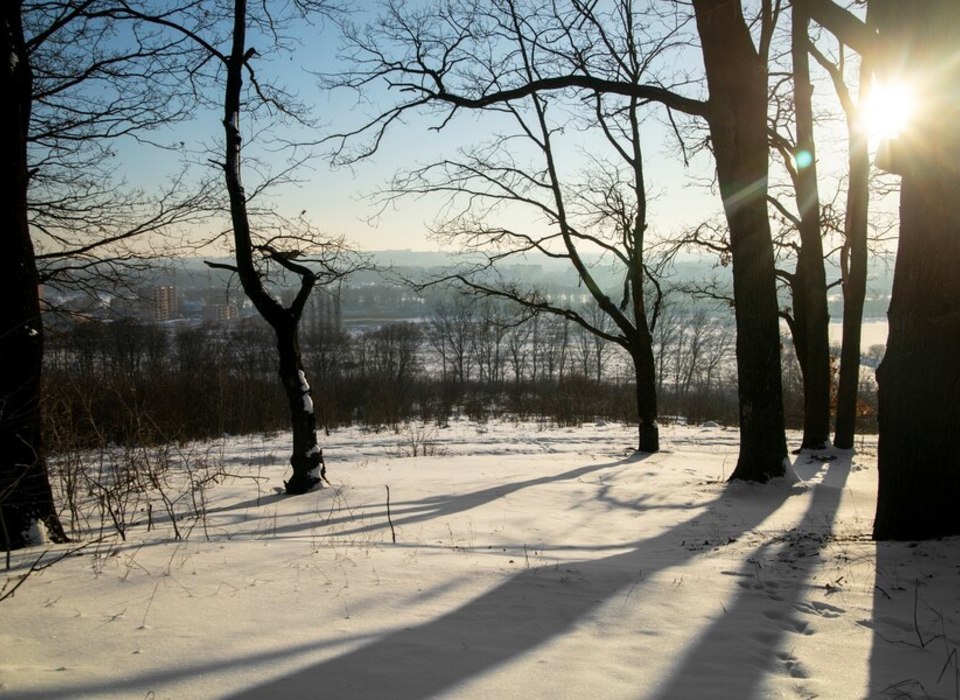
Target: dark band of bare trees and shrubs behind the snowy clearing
126	382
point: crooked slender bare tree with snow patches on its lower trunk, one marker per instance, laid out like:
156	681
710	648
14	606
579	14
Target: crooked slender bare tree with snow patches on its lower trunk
268	250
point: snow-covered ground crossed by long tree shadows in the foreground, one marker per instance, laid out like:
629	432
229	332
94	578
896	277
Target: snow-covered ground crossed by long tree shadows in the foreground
530	562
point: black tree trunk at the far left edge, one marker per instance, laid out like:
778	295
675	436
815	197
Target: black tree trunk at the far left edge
25	495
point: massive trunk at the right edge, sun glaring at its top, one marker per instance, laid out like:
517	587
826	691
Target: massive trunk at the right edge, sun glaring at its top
919	378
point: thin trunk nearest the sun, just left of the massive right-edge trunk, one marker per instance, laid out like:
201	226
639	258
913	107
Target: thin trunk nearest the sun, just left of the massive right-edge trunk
853	265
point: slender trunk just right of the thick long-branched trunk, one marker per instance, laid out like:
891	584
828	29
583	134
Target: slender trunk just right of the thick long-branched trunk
811	316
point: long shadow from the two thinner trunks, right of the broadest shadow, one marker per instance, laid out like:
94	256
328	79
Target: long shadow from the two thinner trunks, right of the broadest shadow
734	666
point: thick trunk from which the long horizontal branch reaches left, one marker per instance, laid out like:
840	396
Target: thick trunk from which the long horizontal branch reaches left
737	79
